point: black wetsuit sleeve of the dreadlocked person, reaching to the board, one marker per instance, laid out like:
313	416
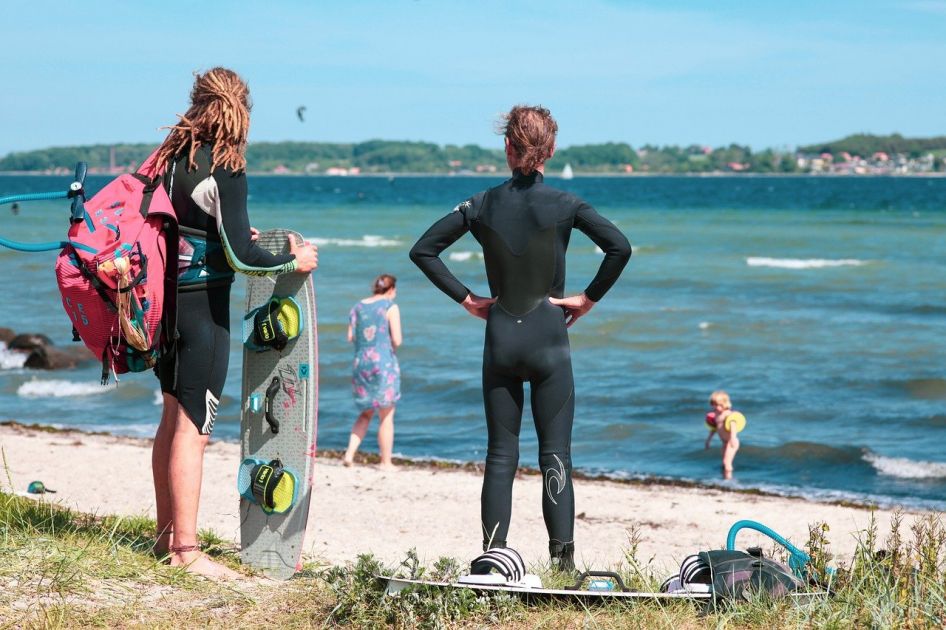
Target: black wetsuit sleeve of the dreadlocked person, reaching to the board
234	227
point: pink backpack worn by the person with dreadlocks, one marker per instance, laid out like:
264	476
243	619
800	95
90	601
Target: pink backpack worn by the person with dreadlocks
118	272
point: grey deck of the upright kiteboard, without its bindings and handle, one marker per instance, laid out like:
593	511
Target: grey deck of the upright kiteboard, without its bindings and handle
273	542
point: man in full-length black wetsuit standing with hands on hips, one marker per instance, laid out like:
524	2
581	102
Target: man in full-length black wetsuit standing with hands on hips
524	227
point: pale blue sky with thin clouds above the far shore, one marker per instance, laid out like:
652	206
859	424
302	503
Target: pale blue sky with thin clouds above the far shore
763	73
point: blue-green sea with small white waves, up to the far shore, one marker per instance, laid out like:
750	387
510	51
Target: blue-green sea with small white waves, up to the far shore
819	304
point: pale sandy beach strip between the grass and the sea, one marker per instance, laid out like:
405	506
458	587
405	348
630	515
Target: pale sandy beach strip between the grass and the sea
435	510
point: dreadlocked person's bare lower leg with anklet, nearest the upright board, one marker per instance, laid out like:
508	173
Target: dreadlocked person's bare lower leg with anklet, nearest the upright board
185	473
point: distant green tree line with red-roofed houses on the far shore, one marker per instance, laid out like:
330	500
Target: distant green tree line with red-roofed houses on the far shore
386	156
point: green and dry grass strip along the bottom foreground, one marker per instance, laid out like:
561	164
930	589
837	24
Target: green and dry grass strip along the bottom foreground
61	568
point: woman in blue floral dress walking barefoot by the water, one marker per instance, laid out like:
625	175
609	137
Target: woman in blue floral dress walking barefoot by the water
375	329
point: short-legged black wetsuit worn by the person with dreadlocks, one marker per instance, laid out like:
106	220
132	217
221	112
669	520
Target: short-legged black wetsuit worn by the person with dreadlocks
209	208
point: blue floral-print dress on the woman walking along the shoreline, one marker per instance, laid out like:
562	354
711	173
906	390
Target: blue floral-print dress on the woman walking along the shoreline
376	375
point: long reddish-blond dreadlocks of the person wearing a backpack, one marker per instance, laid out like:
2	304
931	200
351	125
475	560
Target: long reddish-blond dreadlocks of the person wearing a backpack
219	116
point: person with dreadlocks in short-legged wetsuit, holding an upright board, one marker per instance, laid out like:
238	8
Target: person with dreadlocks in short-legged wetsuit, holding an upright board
203	161
